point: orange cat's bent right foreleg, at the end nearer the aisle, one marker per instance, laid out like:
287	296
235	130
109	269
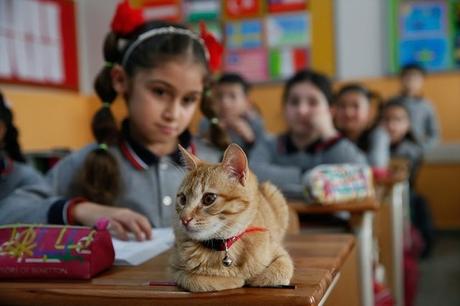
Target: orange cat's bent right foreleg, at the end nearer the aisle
279	272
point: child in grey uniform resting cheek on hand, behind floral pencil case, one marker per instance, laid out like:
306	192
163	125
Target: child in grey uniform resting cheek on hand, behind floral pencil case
310	139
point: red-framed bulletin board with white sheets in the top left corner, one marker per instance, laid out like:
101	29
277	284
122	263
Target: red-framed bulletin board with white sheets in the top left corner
38	44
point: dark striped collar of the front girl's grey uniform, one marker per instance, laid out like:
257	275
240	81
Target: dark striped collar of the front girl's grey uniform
141	158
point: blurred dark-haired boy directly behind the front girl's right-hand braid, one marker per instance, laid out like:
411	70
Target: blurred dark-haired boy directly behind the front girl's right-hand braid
235	113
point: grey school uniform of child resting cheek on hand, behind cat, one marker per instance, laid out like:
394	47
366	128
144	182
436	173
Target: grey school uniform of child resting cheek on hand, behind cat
278	160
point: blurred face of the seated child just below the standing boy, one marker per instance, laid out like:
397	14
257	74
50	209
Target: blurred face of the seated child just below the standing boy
396	122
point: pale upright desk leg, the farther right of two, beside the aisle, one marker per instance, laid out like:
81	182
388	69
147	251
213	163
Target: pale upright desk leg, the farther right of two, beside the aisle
399	199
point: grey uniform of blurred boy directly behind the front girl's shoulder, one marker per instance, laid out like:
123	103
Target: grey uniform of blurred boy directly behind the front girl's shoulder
254	121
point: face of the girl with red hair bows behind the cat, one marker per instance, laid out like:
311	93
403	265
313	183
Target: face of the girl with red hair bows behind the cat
162	101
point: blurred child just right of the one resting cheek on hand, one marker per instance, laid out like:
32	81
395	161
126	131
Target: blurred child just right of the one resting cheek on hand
352	117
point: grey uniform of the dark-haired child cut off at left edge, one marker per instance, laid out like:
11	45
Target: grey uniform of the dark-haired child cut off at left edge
25	196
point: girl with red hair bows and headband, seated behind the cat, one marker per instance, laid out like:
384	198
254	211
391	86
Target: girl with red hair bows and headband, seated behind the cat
131	175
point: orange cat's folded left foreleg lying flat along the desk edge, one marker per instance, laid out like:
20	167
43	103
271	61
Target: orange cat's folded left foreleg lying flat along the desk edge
204	283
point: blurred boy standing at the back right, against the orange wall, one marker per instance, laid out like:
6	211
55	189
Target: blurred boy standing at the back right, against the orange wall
422	113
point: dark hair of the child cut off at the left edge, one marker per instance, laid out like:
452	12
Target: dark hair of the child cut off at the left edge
10	141
